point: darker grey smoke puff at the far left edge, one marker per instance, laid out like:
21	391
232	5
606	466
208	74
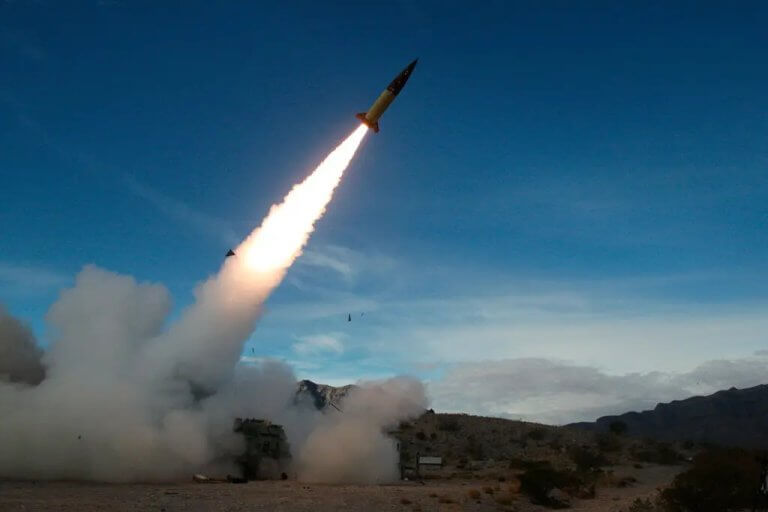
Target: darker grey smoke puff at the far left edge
20	359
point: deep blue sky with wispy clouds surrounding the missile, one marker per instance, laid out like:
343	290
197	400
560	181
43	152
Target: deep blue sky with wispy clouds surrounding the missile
574	182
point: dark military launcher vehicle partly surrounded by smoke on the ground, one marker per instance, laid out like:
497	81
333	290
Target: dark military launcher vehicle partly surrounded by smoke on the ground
267	453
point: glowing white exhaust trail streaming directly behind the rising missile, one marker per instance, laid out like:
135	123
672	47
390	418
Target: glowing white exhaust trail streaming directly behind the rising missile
228	304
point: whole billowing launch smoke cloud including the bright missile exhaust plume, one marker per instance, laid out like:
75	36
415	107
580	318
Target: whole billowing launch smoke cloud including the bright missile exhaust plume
121	397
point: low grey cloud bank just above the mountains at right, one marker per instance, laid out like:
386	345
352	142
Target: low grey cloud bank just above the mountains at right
558	392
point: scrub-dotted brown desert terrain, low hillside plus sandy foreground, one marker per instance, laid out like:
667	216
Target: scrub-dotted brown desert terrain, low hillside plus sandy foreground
490	464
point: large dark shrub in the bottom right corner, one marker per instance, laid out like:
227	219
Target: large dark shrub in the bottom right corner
718	481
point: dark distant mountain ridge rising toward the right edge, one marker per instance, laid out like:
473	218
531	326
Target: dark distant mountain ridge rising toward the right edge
735	417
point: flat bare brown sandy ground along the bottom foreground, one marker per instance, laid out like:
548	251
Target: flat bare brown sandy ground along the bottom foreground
298	497
